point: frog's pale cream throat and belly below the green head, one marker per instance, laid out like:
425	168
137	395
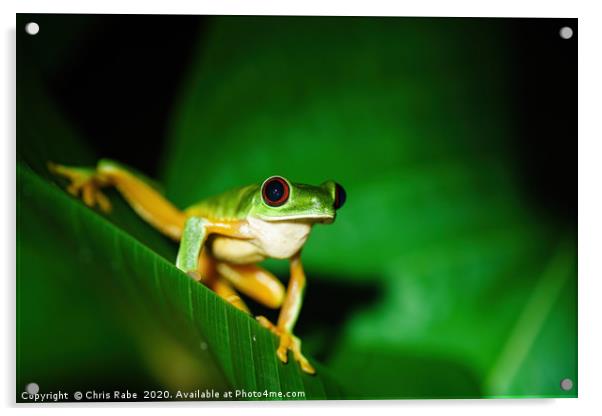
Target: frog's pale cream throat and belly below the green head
277	239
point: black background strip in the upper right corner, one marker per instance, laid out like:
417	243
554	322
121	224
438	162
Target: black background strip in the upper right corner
544	75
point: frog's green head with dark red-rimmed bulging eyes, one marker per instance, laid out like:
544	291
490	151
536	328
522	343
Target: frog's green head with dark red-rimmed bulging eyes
279	199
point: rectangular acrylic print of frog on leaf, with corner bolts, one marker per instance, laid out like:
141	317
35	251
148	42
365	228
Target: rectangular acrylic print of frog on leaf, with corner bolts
440	161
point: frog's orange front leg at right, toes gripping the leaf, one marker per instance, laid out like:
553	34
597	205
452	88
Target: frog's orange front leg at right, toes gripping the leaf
288	316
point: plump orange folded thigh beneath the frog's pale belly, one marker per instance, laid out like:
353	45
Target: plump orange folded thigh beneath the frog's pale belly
254	282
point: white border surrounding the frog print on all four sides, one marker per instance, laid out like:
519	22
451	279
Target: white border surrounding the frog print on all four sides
590	186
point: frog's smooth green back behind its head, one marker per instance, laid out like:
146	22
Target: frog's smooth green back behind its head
230	205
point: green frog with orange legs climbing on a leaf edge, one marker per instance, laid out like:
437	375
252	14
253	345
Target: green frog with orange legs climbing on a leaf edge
223	238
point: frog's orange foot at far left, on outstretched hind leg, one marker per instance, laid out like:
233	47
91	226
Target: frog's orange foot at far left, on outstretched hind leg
84	183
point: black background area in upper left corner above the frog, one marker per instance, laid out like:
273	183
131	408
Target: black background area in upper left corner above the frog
115	77
